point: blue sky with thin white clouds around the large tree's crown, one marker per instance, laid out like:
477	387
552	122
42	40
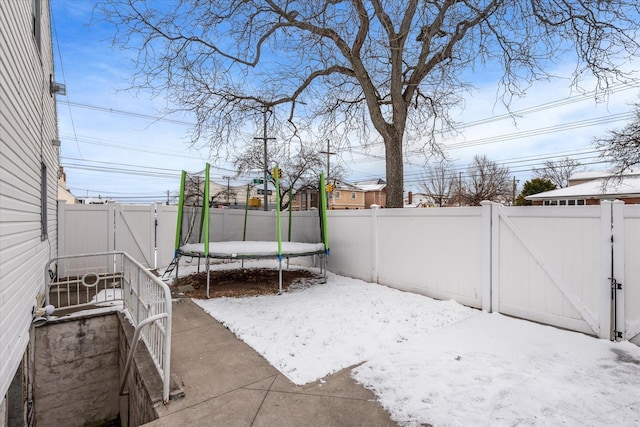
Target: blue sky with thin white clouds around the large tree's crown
117	144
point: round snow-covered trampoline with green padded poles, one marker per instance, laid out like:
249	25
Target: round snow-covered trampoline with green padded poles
194	230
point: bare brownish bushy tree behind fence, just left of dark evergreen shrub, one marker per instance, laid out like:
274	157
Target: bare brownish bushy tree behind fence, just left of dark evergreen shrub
486	180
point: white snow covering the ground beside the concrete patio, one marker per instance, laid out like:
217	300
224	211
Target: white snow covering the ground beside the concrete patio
438	362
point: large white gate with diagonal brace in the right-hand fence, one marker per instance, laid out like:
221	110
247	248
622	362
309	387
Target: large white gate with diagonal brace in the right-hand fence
547	266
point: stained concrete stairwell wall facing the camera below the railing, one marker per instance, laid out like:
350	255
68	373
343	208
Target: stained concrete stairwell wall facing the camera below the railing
76	371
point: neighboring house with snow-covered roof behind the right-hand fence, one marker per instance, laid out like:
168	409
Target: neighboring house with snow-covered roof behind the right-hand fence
588	188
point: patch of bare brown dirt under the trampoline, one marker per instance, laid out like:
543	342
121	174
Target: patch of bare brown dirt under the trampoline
243	282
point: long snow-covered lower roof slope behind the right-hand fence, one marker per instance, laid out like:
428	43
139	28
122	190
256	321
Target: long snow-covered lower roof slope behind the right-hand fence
600	188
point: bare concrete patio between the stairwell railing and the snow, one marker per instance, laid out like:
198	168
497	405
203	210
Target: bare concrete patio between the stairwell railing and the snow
227	383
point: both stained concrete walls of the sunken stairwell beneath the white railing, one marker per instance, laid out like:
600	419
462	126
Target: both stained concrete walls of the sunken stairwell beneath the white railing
79	366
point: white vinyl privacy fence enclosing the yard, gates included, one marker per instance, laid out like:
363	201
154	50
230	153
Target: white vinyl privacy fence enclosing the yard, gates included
575	267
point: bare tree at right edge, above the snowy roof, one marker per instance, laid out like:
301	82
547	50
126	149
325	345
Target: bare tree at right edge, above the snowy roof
622	147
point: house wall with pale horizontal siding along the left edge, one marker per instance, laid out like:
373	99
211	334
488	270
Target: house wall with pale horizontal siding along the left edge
29	161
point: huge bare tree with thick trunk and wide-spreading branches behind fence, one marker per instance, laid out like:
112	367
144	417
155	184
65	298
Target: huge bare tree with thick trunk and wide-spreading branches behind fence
351	66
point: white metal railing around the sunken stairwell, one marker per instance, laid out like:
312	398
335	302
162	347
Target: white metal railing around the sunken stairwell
106	279
